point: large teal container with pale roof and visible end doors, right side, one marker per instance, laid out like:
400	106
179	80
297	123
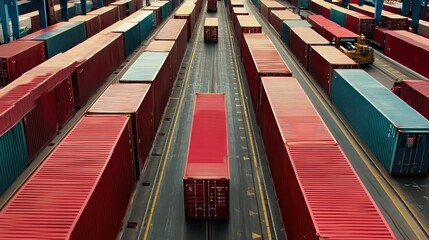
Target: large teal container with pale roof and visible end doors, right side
395	133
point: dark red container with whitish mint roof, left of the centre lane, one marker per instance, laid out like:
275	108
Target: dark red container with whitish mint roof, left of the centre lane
152	67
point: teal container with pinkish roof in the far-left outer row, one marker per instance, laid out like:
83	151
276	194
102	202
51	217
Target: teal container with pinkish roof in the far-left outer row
63	38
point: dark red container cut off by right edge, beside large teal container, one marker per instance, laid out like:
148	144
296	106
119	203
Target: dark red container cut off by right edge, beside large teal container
416	94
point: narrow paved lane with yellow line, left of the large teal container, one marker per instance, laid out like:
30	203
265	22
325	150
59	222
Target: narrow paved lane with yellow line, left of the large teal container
396	210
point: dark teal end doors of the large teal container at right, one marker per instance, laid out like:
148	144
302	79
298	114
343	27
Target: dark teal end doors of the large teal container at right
412	154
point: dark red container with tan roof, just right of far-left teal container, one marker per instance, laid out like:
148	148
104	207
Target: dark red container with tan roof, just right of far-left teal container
97	58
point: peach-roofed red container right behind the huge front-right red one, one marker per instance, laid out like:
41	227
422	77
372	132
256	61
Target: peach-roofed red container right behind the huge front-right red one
260	59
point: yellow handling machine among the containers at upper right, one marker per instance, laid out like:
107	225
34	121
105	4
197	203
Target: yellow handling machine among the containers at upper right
356	49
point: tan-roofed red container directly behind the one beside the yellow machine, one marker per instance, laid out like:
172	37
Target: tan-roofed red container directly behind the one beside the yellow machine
300	41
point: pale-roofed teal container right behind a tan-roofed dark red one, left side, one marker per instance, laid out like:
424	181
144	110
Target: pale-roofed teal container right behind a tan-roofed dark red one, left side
131	35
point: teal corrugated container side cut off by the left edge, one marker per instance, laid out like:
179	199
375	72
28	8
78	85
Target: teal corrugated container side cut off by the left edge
13	155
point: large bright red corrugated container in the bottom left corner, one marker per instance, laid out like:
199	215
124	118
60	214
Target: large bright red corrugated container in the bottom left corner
82	190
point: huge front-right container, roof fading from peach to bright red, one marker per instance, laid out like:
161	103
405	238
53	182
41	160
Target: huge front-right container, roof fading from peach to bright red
303	157
